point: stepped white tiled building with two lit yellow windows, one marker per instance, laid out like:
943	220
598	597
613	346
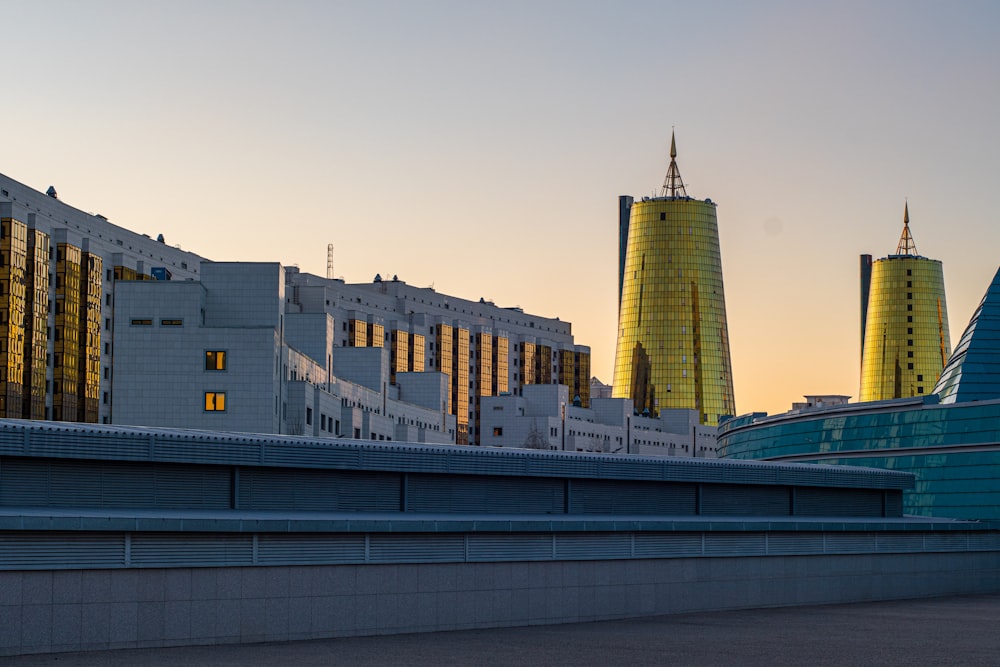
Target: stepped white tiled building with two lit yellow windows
214	355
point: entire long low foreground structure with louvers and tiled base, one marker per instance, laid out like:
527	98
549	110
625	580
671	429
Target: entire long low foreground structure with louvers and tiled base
181	536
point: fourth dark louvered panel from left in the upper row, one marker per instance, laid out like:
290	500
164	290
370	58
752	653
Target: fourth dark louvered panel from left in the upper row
639	498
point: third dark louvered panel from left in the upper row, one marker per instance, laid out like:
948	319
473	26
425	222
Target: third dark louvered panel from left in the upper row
482	494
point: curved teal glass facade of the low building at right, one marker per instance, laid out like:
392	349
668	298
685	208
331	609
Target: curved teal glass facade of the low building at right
951	448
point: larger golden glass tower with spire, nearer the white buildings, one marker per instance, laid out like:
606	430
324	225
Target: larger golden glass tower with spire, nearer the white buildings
673	342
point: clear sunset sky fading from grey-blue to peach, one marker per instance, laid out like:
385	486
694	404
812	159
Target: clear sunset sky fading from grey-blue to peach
481	147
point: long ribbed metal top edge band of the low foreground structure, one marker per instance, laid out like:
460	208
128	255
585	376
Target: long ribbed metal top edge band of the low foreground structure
147	443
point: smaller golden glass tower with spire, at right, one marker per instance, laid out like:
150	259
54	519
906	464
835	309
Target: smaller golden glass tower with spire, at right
904	320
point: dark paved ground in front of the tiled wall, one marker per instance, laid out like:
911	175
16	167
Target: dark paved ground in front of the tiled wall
943	631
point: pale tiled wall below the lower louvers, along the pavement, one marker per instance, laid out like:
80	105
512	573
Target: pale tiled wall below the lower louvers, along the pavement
72	610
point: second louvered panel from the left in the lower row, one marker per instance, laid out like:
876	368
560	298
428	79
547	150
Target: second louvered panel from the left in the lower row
187	550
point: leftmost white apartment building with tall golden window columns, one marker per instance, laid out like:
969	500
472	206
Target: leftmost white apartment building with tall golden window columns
58	270
